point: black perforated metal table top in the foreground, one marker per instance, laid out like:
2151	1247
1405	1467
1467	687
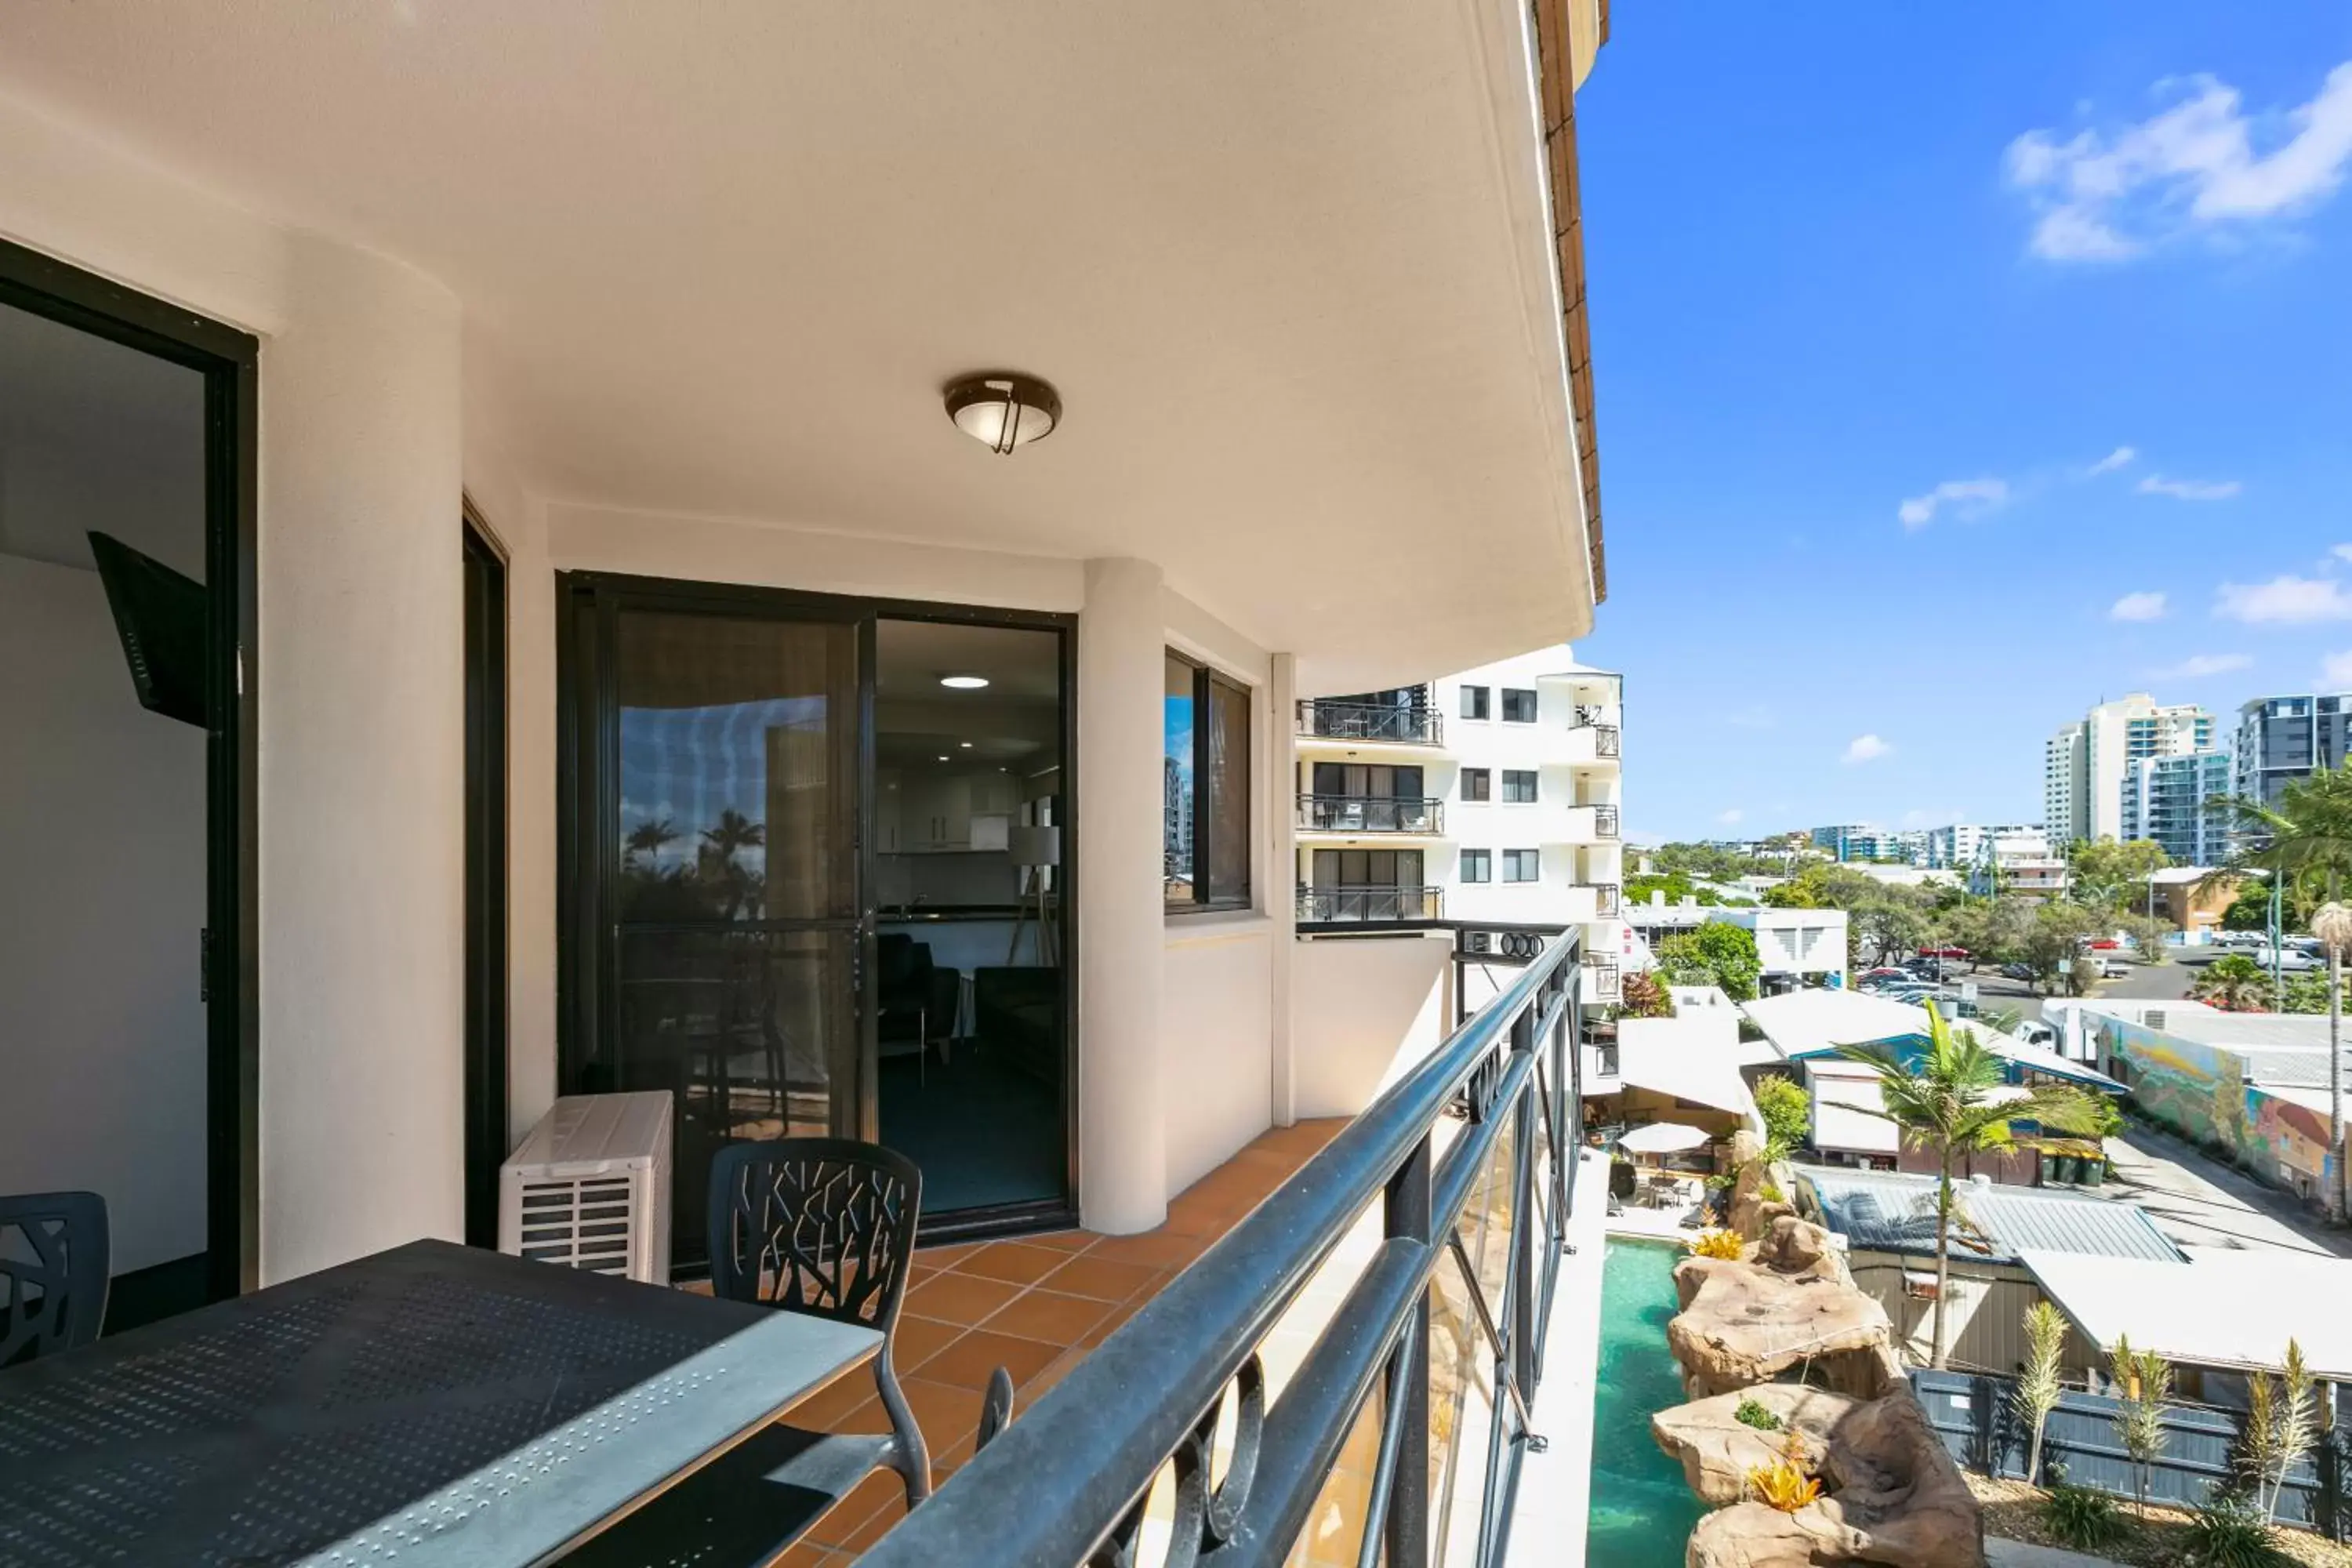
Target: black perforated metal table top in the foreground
429	1407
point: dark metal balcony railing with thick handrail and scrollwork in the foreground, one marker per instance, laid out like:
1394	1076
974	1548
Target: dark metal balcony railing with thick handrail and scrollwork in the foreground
1438	1341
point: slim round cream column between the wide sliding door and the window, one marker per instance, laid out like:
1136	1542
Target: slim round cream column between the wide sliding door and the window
1121	904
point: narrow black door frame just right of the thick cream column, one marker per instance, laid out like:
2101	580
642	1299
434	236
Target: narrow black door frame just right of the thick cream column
486	878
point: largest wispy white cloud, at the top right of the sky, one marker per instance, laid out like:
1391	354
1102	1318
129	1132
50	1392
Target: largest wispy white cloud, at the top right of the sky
2191	168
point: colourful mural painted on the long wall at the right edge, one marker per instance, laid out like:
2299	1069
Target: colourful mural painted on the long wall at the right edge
2203	1092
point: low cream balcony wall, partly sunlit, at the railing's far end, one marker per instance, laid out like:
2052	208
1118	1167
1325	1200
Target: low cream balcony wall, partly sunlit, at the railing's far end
1365	1010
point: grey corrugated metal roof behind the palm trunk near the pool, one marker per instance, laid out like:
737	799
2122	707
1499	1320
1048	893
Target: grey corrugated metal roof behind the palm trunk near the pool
1890	1212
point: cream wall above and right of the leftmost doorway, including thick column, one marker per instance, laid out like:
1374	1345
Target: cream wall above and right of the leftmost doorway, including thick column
356	678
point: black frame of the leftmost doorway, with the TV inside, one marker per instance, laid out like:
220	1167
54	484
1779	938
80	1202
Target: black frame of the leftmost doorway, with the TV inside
232	944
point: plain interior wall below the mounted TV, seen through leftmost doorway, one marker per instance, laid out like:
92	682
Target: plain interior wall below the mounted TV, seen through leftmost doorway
102	897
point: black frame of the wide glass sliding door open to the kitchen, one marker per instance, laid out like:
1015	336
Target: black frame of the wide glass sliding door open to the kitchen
580	934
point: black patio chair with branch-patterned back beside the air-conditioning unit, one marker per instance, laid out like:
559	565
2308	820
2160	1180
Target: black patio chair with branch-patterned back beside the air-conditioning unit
820	1226
